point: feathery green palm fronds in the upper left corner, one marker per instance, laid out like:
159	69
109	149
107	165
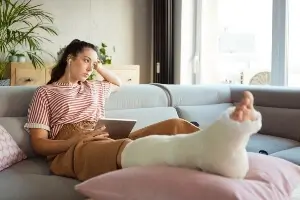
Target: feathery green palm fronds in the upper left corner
21	26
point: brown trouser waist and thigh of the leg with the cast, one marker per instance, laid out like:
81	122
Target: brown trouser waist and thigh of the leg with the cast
87	158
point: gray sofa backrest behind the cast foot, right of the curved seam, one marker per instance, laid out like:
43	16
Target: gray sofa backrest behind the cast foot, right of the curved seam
279	106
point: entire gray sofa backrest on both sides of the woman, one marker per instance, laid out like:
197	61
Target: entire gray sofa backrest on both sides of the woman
153	103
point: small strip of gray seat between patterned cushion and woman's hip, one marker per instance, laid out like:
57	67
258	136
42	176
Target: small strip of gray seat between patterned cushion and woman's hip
29	166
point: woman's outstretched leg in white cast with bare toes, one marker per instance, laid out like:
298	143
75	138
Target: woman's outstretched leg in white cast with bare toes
220	149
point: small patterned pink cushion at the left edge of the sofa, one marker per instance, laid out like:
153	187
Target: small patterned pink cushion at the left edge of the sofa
10	153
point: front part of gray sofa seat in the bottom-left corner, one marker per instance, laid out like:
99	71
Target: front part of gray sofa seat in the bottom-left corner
18	186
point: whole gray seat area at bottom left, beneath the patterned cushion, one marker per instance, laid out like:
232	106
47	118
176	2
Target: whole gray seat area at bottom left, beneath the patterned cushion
33	180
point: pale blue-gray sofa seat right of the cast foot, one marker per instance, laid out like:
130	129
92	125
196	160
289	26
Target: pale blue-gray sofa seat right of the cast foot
270	144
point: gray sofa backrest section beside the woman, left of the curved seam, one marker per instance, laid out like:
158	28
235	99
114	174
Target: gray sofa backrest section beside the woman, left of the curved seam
146	103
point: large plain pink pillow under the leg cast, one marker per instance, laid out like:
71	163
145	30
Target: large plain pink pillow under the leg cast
268	178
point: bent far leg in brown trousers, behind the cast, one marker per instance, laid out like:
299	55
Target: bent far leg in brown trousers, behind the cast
167	127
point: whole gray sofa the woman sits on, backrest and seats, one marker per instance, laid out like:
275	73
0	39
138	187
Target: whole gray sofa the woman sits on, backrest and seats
149	103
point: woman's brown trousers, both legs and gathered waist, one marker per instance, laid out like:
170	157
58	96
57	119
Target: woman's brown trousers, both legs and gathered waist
88	159
